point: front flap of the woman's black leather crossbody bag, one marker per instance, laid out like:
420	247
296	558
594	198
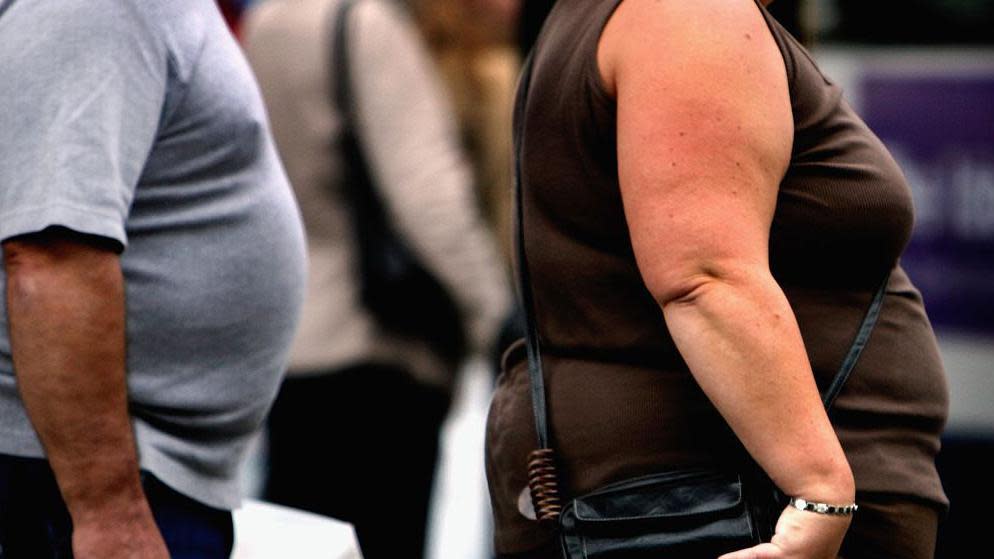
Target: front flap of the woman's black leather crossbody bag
665	497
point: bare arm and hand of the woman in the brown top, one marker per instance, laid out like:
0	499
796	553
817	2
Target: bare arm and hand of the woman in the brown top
705	132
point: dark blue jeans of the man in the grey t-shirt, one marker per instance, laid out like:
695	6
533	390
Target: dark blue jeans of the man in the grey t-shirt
34	522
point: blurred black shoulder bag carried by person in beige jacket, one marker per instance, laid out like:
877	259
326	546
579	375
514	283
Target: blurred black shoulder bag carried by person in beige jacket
406	299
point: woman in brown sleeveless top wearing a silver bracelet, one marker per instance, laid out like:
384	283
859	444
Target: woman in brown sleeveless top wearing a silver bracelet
706	221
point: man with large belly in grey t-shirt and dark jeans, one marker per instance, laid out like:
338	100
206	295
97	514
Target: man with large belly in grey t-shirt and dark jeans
153	268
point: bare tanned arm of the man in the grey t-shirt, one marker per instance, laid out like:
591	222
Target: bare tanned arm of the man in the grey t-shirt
65	302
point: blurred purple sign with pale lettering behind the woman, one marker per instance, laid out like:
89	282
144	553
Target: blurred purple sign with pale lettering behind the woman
941	130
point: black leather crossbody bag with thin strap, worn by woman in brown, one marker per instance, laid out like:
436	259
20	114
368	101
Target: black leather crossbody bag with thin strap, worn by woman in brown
702	512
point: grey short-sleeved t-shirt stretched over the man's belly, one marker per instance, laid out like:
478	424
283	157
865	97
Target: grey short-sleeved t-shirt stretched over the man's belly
139	121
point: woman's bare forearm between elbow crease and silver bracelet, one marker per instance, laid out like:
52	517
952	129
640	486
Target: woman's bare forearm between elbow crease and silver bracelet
741	341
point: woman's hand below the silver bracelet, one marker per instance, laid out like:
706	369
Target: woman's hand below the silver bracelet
800	535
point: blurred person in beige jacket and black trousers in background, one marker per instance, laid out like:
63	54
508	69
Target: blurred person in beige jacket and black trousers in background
354	432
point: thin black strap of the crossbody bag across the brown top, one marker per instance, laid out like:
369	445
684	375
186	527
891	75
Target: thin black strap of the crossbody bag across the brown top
539	406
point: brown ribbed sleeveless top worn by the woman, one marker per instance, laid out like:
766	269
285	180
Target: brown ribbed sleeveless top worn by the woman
622	401
